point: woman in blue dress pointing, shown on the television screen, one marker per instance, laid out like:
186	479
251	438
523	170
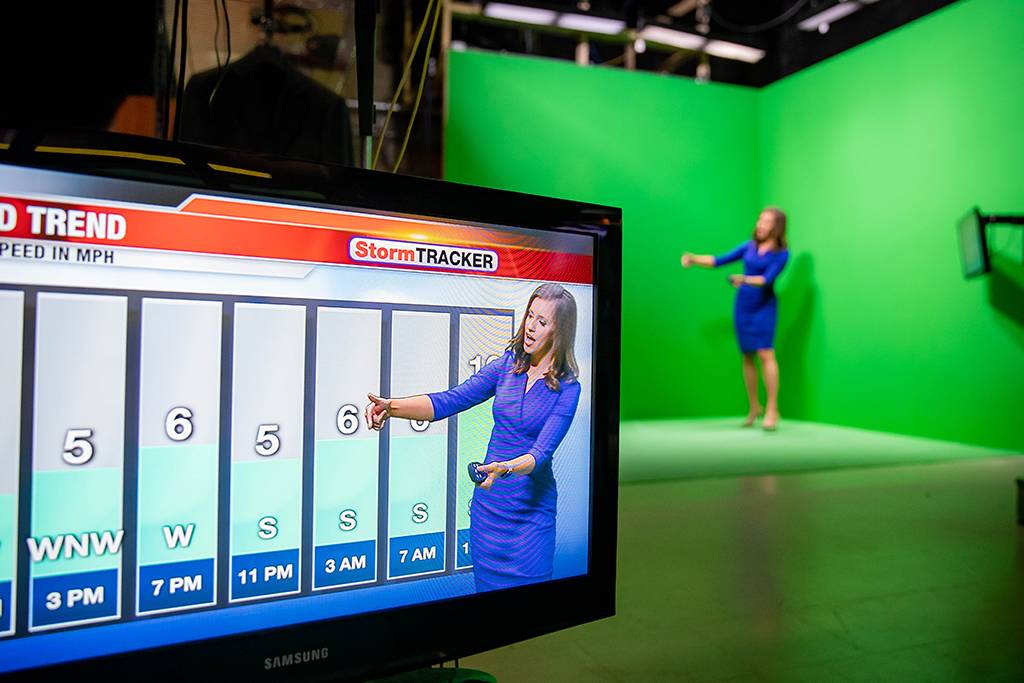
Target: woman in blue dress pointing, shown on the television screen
536	391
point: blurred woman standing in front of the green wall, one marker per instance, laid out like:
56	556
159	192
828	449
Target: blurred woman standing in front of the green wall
756	309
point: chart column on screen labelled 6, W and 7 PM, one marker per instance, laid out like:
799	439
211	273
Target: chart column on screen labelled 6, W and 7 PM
180	430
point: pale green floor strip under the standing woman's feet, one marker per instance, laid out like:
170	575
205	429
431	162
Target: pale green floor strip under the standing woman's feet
719	447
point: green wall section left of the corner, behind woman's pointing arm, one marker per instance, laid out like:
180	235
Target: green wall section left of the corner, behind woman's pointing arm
680	160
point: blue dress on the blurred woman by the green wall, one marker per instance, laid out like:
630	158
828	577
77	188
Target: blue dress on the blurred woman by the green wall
757	308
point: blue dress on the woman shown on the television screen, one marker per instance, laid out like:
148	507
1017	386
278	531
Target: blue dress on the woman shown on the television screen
513	528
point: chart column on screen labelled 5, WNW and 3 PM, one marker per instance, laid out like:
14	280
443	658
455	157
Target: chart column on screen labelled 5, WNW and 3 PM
76	539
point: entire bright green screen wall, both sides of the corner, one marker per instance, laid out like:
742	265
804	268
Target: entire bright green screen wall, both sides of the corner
875	155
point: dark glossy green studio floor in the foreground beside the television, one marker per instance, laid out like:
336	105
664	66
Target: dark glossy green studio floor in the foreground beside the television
902	574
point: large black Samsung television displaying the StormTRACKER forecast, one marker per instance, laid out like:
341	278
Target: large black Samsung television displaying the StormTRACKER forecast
188	480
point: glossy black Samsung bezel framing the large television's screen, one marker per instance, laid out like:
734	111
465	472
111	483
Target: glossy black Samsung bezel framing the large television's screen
399	639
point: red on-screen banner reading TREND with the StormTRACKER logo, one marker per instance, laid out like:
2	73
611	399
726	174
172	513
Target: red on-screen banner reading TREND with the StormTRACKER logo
227	228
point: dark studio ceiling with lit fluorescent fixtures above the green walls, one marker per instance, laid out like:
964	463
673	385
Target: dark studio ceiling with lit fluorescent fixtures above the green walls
773	26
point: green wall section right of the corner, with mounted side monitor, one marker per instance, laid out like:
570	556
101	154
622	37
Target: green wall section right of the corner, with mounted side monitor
877	153
